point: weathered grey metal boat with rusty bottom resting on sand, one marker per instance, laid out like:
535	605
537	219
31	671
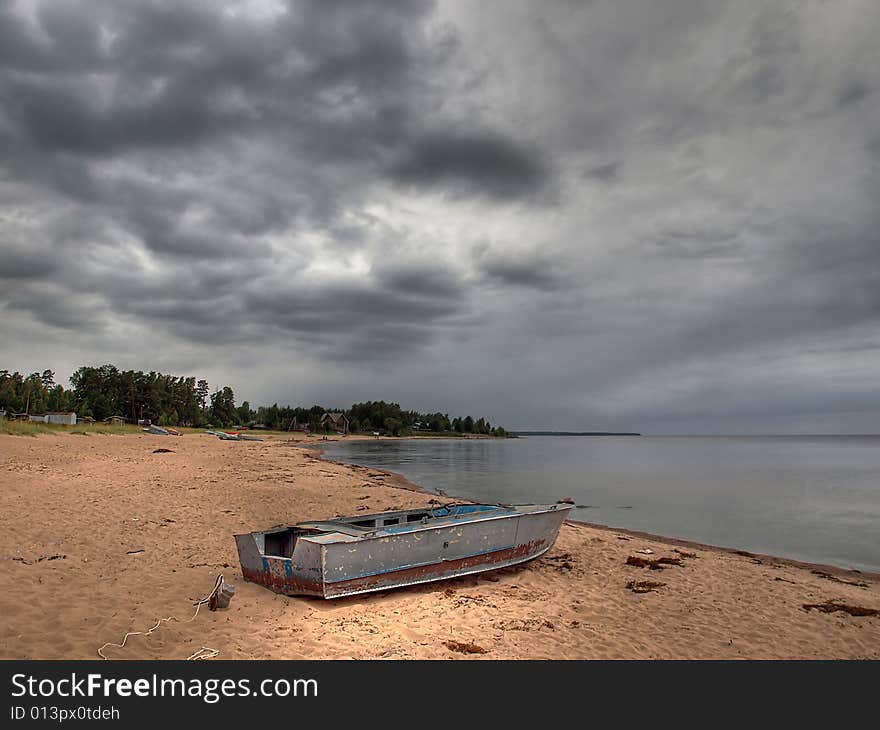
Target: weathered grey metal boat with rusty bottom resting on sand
349	555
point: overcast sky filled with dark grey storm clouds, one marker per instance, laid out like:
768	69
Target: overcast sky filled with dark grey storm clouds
660	215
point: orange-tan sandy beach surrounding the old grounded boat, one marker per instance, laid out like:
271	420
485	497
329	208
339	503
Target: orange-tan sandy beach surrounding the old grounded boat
101	536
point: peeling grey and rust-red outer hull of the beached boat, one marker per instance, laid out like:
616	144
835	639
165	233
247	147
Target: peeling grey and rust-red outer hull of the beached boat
388	561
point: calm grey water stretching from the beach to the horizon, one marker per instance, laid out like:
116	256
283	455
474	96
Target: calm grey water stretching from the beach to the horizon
809	498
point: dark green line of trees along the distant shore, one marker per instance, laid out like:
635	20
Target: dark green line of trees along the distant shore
170	400
